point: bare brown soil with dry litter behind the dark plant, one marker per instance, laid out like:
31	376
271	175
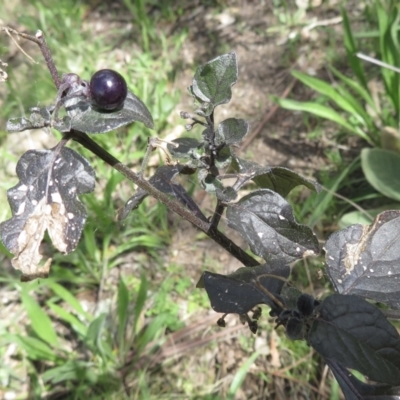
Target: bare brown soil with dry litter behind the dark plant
209	356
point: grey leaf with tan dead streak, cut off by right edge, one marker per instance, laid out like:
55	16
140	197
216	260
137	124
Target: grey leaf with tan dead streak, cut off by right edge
365	259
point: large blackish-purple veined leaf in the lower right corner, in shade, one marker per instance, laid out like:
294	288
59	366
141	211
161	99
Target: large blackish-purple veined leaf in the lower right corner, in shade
357	335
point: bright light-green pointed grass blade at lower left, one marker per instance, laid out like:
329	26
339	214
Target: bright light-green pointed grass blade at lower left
39	319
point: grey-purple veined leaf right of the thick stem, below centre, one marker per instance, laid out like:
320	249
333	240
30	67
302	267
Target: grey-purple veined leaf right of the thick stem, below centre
266	221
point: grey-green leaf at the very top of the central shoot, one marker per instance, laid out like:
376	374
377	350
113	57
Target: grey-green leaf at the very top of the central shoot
212	82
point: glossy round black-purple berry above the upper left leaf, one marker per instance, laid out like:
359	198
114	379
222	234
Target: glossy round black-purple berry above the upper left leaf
108	89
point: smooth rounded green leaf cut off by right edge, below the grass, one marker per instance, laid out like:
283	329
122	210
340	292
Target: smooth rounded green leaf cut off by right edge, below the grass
381	168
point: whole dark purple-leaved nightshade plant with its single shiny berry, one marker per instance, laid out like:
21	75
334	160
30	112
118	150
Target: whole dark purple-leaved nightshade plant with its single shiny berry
362	262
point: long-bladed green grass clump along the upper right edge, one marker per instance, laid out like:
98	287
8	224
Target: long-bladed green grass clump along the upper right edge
348	102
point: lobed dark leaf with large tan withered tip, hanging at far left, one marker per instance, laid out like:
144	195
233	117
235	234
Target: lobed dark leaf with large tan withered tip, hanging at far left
46	199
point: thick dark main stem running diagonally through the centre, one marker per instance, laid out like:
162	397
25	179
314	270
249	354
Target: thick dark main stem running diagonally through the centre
208	228
